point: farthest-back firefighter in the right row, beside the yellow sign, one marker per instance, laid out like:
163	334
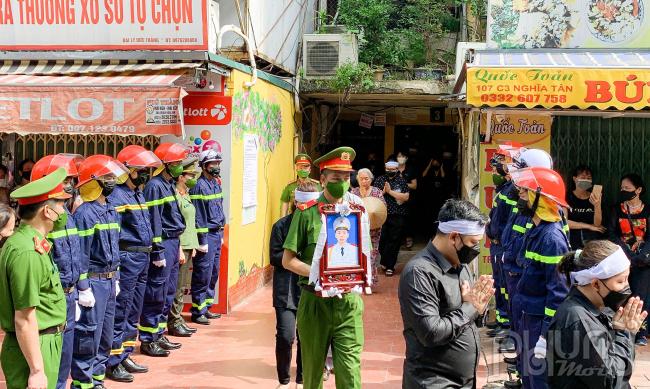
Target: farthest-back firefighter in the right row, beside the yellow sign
503	206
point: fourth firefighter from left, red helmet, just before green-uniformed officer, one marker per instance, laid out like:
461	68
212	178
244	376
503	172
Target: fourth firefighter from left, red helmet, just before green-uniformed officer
167	224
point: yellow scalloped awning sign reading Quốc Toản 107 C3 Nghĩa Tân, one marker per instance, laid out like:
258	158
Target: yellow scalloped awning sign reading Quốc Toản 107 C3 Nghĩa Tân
559	87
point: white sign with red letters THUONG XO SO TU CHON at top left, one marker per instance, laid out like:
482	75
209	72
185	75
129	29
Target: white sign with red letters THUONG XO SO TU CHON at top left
103	25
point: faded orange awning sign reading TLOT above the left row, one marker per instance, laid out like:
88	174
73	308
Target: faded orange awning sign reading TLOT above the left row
121	111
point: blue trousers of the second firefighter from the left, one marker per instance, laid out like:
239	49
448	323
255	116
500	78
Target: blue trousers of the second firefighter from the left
94	336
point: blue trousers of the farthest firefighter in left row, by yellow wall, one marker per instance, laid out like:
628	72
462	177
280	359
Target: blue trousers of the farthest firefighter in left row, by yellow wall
205	274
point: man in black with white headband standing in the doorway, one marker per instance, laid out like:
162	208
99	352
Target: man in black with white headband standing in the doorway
396	194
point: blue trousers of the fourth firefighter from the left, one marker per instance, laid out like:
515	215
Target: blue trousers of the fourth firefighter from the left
159	293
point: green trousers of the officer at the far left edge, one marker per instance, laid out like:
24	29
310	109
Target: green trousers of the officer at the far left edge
15	366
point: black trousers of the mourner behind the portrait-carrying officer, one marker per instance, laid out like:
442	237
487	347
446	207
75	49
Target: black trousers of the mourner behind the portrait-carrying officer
285	335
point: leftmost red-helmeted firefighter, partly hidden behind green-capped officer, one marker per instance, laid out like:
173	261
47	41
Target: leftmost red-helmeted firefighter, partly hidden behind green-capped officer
64	251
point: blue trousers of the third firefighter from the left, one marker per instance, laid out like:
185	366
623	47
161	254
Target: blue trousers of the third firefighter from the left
133	268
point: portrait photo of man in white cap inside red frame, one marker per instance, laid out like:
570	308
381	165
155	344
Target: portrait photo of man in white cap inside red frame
342	241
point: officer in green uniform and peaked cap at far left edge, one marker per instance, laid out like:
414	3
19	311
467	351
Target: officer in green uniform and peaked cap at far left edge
32	303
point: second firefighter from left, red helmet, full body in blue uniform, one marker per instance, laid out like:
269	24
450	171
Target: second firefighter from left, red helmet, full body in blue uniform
99	231
